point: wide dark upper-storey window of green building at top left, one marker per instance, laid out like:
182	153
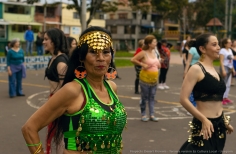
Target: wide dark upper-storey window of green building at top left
17	9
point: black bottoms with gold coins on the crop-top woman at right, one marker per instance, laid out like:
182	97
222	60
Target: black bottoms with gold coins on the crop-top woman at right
196	143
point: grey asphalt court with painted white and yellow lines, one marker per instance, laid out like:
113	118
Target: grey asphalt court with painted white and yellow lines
165	136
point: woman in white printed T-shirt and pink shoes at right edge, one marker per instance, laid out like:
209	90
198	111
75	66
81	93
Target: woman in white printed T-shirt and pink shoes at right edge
226	67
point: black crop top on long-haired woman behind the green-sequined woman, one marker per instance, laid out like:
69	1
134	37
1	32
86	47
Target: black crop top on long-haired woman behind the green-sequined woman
51	72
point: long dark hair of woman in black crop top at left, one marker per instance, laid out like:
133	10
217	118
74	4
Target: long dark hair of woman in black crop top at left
59	40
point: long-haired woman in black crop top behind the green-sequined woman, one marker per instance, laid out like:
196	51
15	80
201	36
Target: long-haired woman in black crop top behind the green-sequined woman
55	43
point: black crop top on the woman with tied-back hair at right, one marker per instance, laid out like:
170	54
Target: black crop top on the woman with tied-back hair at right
209	88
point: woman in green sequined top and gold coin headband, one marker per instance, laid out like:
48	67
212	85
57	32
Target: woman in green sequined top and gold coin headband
87	113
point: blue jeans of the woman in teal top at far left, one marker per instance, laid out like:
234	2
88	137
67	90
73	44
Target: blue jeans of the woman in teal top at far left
15	83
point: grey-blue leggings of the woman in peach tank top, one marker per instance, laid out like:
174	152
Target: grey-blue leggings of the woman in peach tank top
147	95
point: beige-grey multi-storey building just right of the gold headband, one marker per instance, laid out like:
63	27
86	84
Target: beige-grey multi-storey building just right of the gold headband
127	27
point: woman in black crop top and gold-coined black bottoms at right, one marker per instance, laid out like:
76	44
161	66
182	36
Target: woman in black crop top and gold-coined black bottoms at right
209	125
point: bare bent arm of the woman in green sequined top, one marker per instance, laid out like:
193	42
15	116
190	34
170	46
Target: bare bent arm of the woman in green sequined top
60	103
